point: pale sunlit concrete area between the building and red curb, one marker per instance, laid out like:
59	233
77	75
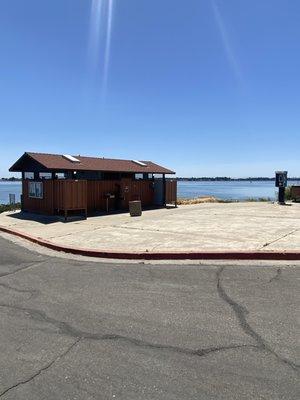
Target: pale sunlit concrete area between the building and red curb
202	227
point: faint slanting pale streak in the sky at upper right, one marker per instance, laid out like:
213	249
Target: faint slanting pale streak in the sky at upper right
226	41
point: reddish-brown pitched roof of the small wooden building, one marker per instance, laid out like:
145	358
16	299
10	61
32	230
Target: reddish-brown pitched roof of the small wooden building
59	162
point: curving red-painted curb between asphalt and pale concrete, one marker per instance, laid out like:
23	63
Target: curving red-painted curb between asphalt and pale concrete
198	255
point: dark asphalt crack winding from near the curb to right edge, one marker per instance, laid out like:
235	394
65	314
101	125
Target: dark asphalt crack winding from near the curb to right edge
241	312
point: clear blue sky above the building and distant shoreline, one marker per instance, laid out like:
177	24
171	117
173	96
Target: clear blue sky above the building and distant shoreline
205	87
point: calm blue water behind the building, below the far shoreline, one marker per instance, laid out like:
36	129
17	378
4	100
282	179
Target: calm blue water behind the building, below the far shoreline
237	190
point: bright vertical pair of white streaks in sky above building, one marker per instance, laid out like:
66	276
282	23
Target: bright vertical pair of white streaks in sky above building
100	38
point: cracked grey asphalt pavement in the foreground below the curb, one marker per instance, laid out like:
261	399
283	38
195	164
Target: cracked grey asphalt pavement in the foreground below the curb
74	329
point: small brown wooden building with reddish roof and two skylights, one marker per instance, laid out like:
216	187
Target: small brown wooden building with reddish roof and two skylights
54	184
